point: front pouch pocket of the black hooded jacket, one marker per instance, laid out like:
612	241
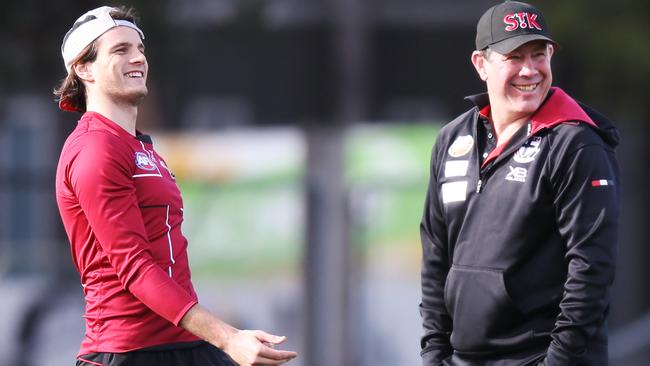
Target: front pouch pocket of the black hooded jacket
484	316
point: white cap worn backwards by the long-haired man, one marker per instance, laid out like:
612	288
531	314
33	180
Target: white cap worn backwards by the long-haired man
87	29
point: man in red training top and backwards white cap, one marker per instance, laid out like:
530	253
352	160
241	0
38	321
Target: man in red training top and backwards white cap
122	212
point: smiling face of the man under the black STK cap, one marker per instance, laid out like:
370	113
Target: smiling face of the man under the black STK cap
517	82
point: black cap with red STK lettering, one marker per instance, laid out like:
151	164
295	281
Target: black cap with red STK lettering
508	25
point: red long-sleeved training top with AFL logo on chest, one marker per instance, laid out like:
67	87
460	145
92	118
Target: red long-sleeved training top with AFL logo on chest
122	211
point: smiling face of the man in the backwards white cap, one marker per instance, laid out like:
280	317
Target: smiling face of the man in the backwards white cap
119	73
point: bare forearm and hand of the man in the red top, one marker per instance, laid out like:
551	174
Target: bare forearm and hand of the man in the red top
246	347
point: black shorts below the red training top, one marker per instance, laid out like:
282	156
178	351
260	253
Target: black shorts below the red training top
187	354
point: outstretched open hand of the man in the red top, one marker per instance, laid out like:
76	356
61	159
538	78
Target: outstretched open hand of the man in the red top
255	347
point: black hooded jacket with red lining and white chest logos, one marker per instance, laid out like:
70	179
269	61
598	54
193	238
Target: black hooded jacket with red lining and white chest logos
519	253
